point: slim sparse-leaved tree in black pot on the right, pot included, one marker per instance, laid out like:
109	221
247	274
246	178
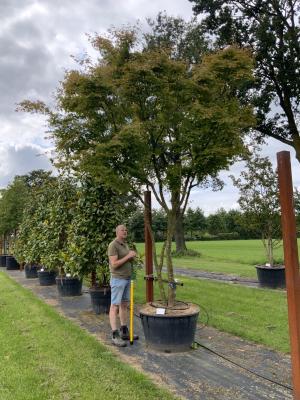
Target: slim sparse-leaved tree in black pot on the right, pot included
258	186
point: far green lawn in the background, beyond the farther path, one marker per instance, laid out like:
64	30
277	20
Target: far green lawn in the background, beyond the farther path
233	257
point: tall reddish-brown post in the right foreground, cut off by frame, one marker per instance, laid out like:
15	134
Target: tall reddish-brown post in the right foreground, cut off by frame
291	263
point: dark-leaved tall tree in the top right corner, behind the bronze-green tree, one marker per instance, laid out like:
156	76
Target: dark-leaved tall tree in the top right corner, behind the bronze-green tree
271	30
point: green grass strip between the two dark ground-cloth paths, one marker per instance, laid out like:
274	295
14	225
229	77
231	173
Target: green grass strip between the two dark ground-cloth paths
258	315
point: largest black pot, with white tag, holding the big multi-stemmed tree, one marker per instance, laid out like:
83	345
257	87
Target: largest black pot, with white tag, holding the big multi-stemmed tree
170	333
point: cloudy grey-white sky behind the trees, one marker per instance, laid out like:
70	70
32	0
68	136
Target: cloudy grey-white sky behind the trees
37	39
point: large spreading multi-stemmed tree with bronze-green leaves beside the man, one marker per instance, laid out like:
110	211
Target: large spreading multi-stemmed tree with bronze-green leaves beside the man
141	118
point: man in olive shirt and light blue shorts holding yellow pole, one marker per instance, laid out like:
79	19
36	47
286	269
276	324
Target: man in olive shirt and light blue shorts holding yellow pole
120	257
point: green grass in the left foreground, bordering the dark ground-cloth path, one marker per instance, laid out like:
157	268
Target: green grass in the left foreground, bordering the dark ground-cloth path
44	356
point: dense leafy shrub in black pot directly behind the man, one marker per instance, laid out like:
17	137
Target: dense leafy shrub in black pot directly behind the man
98	211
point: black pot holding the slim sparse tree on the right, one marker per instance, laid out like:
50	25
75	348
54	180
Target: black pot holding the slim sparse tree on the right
271	277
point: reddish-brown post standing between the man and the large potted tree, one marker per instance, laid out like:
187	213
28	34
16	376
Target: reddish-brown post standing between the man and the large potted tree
148	247
